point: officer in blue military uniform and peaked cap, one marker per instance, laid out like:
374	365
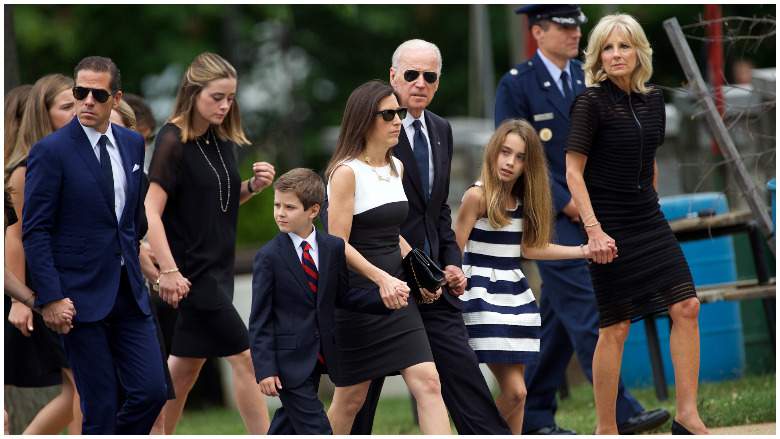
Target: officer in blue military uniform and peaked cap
541	91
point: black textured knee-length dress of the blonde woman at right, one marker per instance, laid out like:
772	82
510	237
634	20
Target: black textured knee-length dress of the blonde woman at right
620	133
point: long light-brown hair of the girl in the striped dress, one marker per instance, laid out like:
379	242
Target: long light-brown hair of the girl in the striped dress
532	188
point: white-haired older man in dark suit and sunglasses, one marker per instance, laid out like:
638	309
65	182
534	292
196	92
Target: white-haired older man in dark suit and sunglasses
425	148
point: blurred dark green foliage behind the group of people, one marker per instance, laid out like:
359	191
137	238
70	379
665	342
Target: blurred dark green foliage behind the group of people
298	63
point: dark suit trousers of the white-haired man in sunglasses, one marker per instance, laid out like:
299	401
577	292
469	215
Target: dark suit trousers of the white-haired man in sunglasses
463	386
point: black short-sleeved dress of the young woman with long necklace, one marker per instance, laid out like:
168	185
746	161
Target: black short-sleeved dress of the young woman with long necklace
200	220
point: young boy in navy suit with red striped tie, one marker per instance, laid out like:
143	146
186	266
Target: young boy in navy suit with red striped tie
299	278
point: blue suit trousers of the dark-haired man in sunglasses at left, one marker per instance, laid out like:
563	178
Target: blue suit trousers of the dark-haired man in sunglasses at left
120	350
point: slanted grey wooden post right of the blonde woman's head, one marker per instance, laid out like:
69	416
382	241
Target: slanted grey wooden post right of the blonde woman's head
718	129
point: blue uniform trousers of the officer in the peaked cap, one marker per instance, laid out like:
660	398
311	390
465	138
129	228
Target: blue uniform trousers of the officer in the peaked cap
569	325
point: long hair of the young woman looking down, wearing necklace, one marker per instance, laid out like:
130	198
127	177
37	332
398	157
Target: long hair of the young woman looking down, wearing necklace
205	68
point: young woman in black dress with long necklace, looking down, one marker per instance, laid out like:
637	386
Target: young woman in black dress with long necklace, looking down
192	210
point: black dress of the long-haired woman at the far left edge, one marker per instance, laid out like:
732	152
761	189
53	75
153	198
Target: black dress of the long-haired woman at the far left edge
35	361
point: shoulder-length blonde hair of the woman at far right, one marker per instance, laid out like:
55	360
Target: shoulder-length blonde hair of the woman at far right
594	71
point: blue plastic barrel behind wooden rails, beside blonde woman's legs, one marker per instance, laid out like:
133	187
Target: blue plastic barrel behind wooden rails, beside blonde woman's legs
720	326
